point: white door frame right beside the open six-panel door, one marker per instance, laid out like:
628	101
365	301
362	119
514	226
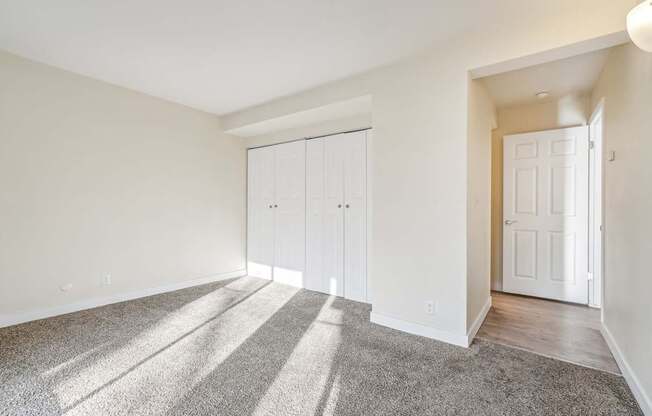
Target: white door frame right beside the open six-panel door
597	199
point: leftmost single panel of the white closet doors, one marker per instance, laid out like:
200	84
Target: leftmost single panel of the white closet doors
260	212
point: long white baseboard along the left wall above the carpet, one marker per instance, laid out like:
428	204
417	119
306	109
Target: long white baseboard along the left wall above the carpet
33	315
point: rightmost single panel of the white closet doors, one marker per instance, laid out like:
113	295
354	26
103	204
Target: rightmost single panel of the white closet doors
355	230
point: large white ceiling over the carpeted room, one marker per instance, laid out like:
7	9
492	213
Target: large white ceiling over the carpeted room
225	55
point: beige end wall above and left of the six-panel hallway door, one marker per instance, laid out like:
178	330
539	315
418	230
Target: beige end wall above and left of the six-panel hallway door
569	111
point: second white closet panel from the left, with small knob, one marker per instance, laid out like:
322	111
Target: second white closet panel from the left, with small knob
290	213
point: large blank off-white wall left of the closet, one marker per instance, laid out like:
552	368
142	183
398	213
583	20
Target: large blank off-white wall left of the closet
97	179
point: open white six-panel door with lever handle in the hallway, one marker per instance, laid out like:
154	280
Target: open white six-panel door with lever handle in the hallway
545	230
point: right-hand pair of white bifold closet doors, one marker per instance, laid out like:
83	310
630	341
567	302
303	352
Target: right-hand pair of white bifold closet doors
336	215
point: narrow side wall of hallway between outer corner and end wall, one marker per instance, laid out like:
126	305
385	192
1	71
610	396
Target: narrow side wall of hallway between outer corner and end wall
482	119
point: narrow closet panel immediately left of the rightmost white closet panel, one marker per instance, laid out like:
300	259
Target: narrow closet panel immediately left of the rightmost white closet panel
333	216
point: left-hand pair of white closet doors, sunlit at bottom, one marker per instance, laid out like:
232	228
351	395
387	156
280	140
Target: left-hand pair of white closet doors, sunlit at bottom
276	213
